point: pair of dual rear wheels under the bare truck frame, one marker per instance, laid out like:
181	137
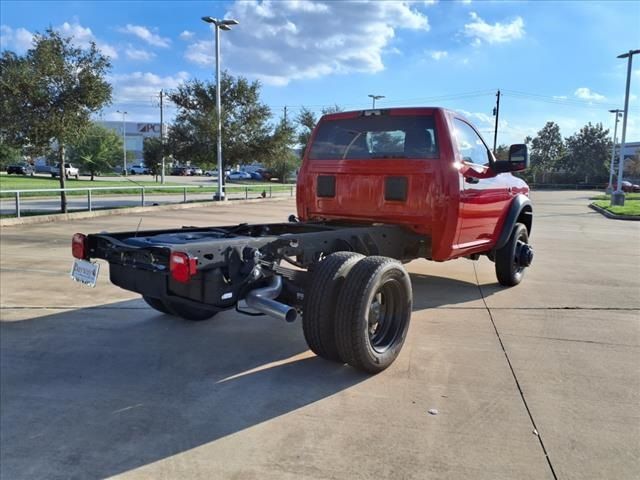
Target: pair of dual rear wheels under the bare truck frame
357	310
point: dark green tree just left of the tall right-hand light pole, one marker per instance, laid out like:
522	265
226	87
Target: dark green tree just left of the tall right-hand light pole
589	151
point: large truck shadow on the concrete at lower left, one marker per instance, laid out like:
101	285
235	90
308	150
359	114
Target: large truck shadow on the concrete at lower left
99	391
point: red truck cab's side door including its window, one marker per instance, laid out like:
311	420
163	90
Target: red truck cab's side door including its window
481	200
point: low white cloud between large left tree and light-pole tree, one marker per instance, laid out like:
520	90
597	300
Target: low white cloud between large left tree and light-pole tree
142	86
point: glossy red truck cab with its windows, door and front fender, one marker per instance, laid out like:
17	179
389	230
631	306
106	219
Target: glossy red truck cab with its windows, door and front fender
428	169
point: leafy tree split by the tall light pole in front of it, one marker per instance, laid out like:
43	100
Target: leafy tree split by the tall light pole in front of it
245	127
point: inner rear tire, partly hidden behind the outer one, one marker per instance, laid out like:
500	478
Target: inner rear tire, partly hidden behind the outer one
319	305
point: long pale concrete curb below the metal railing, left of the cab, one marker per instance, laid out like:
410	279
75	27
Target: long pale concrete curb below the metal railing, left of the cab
55	217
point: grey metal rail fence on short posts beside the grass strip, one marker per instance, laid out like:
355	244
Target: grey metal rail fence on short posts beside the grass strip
189	193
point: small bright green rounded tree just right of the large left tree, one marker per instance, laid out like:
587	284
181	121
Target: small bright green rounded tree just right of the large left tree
97	150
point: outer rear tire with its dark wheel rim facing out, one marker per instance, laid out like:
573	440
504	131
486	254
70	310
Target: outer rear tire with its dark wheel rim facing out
373	314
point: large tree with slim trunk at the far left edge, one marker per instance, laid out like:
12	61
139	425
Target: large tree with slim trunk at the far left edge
49	94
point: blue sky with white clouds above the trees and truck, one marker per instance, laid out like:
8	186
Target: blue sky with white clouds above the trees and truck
552	61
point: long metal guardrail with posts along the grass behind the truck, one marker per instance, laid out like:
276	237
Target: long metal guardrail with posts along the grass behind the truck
267	192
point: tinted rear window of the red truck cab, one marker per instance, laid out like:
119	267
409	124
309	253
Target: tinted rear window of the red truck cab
371	137
